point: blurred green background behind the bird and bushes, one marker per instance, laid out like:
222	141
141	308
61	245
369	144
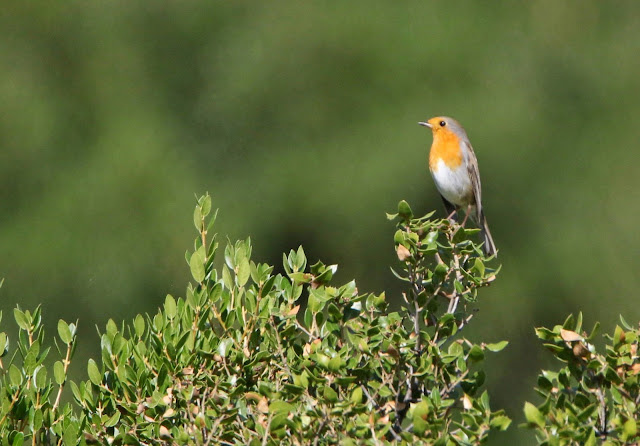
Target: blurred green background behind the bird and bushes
300	118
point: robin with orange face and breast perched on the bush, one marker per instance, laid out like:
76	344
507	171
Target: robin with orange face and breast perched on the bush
454	168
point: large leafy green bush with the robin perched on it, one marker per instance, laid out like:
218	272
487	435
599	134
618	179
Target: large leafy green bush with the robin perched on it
252	357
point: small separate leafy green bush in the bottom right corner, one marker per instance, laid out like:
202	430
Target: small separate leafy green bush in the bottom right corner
595	397
